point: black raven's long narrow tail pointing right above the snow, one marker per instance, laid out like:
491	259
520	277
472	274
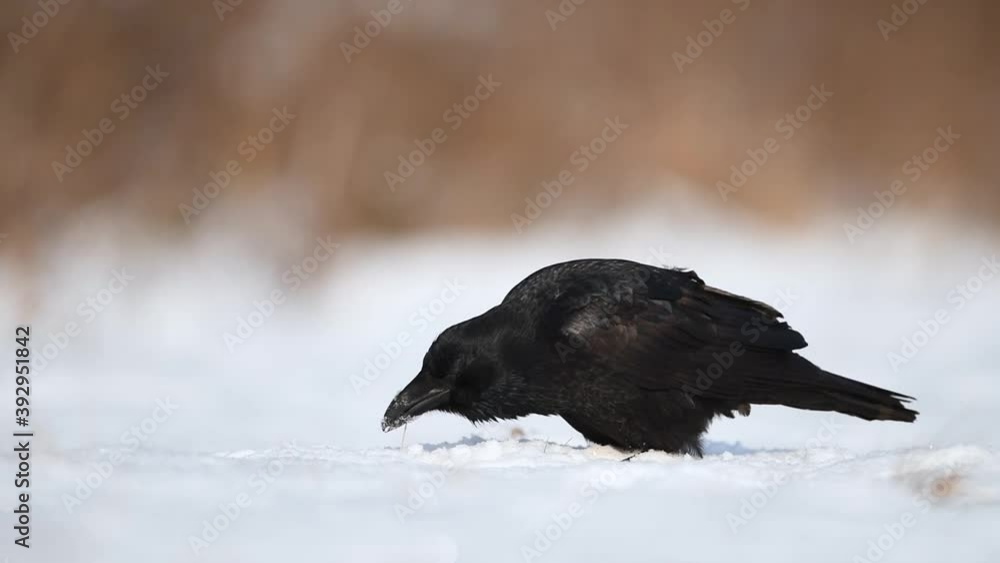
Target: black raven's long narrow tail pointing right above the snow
812	388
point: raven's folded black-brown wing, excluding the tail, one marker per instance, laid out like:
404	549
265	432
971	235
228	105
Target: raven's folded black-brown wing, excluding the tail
666	330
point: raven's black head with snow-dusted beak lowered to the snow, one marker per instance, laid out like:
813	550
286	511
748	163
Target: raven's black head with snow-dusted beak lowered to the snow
464	373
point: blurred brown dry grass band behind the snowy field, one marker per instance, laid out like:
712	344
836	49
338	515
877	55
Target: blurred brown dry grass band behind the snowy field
608	59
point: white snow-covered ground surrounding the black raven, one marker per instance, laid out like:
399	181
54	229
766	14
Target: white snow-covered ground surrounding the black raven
166	431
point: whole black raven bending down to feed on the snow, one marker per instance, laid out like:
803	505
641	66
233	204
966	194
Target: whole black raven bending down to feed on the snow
633	356
